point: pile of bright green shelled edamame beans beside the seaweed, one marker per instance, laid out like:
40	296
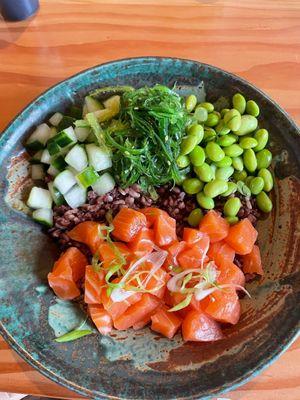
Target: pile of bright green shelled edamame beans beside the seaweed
225	151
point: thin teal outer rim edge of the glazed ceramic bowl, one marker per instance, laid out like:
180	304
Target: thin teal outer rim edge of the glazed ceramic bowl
247	376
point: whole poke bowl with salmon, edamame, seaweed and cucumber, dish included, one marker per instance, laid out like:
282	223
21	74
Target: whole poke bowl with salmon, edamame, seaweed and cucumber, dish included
150	231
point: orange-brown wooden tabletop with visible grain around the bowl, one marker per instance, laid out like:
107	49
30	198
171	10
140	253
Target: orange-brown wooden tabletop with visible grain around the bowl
257	39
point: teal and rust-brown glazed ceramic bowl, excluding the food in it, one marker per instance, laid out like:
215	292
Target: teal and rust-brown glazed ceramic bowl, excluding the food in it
142	365
